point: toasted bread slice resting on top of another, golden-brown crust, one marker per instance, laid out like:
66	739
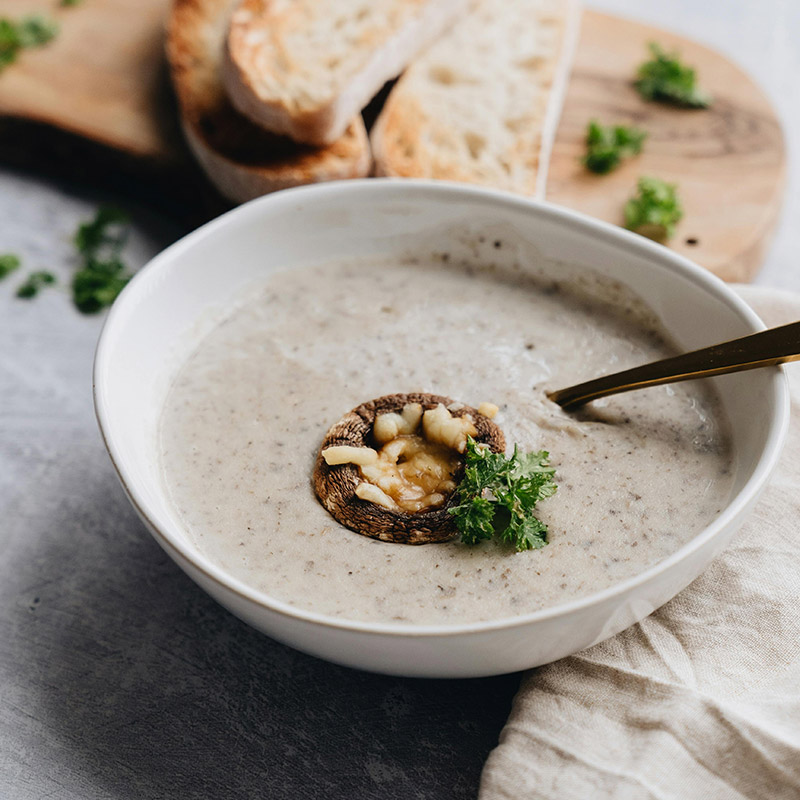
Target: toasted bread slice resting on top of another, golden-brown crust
304	68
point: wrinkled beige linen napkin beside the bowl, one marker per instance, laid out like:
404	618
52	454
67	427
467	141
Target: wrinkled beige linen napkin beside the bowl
701	699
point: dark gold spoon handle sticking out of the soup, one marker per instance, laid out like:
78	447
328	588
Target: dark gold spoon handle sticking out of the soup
765	349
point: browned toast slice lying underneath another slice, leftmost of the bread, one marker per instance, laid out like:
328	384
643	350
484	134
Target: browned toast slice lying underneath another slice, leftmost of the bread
240	158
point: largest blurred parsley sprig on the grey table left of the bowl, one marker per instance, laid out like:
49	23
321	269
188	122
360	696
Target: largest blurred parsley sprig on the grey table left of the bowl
103	274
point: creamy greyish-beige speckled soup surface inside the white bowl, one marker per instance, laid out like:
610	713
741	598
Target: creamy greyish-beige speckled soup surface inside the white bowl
639	474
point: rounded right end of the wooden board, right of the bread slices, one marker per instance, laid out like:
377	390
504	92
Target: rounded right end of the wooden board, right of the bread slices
729	160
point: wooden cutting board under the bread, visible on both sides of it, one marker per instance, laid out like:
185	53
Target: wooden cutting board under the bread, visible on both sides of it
103	79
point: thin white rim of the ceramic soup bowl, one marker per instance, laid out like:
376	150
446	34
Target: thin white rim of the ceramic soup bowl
422	189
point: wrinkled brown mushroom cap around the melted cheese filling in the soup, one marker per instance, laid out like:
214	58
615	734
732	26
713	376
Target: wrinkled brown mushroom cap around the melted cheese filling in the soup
335	486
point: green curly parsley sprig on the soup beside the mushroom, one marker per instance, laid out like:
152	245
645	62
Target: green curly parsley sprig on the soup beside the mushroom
497	496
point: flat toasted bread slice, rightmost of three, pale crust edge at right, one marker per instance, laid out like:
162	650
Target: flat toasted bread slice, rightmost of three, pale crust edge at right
481	105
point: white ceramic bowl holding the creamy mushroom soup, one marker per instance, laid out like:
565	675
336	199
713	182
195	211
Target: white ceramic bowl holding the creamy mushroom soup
175	298
